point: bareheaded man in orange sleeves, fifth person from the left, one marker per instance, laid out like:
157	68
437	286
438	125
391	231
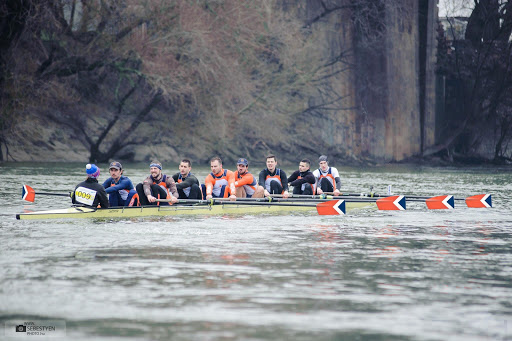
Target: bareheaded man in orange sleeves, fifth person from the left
220	183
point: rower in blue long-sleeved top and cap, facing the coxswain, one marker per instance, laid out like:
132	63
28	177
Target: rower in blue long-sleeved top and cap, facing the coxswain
118	187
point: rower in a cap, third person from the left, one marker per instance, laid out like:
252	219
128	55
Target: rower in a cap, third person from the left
157	186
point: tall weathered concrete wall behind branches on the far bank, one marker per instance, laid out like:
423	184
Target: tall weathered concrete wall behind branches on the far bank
384	122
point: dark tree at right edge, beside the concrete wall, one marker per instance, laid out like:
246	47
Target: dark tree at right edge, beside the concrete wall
481	67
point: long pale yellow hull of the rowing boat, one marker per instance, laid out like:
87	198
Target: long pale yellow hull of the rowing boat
175	210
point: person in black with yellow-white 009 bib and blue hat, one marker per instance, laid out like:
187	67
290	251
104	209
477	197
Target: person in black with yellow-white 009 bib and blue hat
89	192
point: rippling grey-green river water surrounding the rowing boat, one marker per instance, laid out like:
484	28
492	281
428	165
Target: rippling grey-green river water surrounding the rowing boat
369	275
